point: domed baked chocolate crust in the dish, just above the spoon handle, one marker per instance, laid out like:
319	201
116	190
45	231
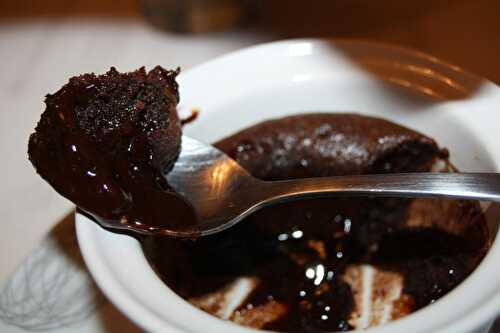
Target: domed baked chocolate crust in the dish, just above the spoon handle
322	144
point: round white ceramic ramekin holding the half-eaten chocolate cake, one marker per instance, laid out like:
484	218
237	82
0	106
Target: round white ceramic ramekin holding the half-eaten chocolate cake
277	79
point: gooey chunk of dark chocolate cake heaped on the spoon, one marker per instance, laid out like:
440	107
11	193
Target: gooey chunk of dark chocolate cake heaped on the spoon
106	141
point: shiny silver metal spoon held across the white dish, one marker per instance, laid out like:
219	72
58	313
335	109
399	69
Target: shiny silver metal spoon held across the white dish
223	193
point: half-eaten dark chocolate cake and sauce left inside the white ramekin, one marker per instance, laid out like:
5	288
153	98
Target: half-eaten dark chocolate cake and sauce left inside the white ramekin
299	251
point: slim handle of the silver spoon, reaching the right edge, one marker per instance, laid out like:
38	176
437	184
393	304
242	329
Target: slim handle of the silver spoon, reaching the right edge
474	186
